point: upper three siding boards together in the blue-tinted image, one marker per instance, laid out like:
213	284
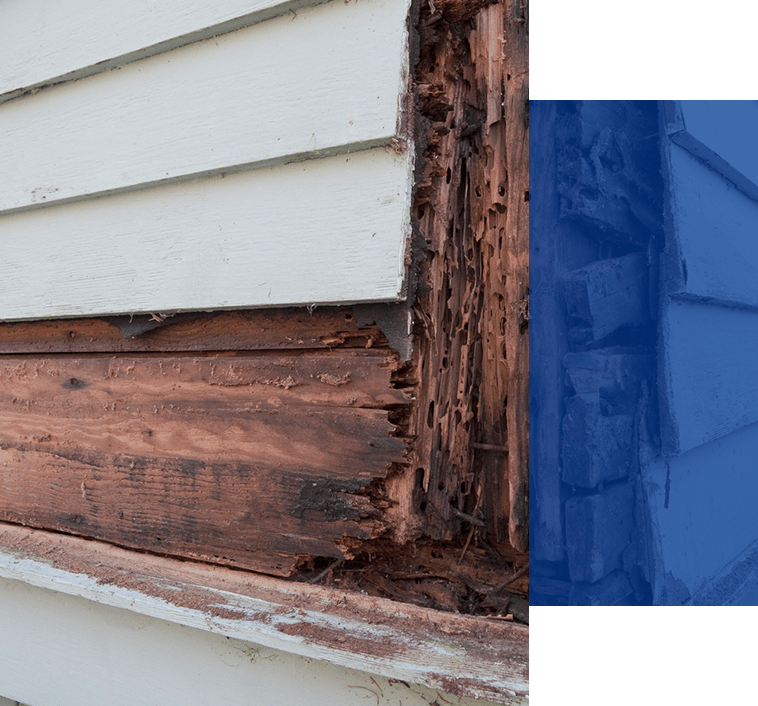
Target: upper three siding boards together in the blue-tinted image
710	319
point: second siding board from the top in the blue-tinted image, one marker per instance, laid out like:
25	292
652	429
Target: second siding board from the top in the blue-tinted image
713	251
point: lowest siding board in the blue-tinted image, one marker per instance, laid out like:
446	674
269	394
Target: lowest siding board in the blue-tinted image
703	529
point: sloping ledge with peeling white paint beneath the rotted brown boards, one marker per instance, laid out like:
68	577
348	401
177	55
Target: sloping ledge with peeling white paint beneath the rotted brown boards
461	655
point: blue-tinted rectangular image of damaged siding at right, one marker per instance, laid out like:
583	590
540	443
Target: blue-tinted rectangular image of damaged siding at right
643	352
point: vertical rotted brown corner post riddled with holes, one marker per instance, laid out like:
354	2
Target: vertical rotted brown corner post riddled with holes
472	206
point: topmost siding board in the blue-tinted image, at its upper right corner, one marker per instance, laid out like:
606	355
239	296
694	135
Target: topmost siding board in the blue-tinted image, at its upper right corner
722	134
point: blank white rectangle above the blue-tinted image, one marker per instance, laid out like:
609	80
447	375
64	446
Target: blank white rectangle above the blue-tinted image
643	49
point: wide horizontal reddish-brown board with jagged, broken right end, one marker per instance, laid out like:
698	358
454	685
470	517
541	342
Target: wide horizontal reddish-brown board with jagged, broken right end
246	460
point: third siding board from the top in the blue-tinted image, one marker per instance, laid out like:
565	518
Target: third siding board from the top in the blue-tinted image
709	380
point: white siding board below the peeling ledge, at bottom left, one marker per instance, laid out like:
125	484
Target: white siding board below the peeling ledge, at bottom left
60	650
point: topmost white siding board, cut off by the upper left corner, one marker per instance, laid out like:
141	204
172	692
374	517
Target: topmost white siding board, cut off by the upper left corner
42	41
